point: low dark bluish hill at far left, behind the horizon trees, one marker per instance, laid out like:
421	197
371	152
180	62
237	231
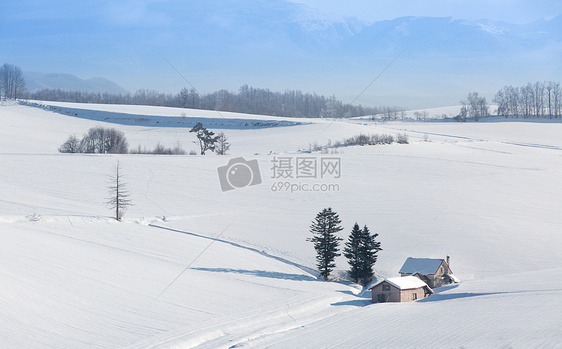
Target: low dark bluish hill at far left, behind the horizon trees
35	81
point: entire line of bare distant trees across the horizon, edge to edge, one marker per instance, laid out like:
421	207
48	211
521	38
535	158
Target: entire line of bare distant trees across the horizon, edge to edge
533	100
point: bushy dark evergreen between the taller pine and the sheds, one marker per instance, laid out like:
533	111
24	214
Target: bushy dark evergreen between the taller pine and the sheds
361	253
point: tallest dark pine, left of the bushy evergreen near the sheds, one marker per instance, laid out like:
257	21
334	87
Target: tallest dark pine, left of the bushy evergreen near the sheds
324	228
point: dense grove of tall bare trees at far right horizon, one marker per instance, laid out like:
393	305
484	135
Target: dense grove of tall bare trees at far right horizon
538	100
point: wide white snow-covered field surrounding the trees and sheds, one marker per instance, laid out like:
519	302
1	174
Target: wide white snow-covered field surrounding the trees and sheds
191	266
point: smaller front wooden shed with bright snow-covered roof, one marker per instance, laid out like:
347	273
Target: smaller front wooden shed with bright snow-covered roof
400	289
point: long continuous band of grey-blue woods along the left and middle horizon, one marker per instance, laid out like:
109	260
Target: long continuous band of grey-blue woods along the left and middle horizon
247	99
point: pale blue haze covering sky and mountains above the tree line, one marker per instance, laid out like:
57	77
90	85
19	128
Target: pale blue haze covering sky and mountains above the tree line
325	47
